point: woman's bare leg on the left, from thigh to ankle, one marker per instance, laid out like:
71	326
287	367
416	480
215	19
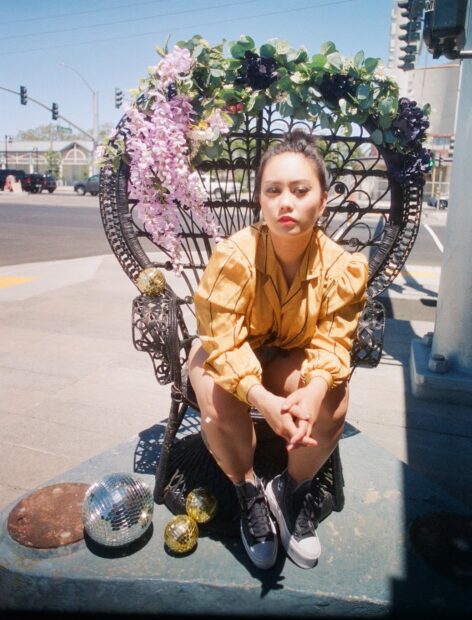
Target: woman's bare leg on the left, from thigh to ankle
226	425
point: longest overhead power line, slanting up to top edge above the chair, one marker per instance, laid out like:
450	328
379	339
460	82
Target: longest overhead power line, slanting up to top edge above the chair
166	30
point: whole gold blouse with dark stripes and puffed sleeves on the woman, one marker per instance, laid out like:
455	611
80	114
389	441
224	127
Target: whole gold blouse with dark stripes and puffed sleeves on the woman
243	302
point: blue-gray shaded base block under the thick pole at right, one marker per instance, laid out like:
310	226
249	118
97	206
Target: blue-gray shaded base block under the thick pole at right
451	386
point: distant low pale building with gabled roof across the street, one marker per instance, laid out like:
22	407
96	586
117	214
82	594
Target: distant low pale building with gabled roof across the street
75	157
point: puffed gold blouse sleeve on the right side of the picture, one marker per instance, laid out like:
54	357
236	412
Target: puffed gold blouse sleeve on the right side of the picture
343	299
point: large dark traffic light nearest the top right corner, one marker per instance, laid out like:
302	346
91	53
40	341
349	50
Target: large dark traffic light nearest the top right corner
445	27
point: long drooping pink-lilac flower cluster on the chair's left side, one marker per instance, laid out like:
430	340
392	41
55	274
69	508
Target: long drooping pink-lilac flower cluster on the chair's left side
160	172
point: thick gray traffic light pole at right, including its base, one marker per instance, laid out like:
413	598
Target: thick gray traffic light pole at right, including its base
441	363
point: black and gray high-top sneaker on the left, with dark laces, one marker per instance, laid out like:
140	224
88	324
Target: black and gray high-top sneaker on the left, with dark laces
258	531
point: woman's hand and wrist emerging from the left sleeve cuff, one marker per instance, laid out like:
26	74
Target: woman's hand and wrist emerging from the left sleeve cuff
292	425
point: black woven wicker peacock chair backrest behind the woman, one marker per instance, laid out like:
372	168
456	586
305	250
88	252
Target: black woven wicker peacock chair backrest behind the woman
369	209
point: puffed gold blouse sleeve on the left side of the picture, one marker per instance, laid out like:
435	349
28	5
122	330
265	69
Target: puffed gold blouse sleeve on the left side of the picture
222	302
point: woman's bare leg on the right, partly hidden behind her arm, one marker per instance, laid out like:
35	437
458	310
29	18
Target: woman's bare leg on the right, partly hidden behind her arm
282	376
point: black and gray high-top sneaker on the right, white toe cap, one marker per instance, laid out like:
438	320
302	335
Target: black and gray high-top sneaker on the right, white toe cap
297	514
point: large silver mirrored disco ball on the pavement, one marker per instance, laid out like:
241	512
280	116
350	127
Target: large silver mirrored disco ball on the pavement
117	509
